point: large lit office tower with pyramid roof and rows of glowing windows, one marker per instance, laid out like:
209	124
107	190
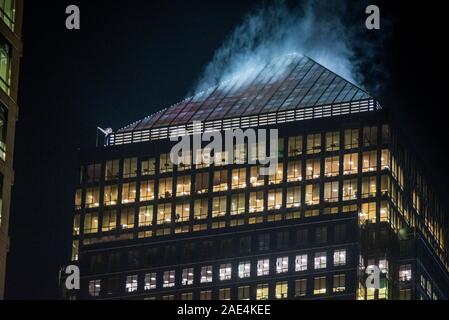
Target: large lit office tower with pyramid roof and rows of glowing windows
346	195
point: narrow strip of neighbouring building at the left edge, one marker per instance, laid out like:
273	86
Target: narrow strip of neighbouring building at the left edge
10	53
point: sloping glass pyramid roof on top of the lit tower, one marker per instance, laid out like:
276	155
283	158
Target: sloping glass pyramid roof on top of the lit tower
288	83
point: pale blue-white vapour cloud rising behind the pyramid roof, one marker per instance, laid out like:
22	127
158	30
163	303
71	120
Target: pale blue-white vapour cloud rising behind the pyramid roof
314	29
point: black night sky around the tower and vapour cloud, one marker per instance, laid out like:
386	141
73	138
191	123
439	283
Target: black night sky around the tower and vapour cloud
131	58
